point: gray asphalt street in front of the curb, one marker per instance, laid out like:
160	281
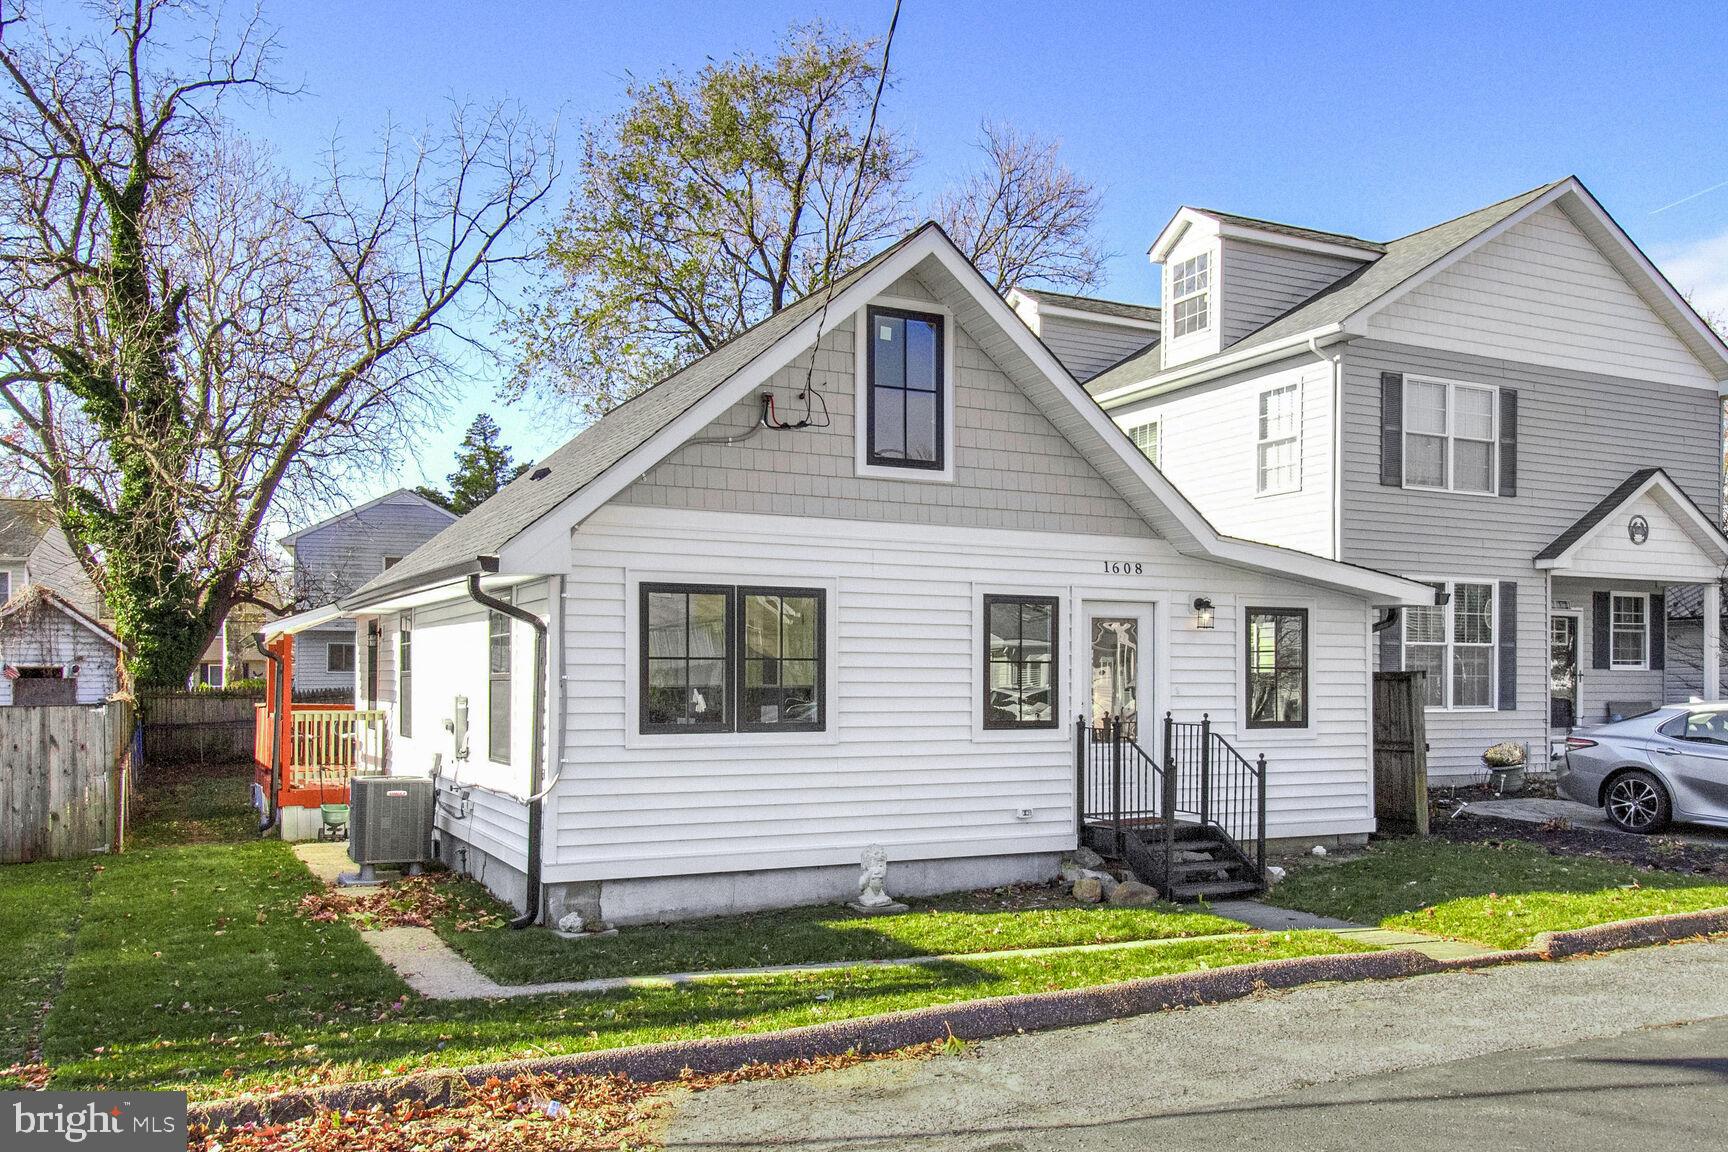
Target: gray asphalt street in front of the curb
1627	1051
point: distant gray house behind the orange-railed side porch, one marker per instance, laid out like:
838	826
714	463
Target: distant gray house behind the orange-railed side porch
336	557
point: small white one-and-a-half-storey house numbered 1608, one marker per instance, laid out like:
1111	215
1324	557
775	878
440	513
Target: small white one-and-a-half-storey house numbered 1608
849	581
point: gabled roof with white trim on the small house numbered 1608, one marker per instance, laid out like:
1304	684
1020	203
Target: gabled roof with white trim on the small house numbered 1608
619	448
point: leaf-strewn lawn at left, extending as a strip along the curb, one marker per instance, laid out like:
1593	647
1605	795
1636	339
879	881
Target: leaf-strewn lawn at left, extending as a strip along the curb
191	968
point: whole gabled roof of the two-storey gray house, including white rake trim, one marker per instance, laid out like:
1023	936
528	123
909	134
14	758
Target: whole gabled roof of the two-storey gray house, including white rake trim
1344	308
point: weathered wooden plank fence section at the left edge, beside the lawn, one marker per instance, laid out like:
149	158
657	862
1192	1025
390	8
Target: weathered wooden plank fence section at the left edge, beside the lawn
65	780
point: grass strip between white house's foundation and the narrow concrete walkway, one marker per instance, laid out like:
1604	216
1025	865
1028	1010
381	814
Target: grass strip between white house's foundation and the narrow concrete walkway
989	921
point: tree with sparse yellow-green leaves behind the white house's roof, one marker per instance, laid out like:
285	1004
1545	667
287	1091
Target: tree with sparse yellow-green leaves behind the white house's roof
711	203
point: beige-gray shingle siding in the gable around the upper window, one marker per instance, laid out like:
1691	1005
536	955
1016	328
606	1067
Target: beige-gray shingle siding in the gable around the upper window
1013	469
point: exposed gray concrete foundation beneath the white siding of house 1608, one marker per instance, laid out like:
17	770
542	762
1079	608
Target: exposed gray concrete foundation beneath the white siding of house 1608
664	899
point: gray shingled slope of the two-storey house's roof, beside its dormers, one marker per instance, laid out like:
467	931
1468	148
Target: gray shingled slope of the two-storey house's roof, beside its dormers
1402	260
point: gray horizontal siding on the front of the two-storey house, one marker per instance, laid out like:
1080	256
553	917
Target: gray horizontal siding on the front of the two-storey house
1580	434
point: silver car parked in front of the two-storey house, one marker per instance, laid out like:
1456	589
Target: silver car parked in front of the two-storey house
1648	771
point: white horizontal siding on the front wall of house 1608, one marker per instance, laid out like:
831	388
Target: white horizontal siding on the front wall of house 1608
906	764
